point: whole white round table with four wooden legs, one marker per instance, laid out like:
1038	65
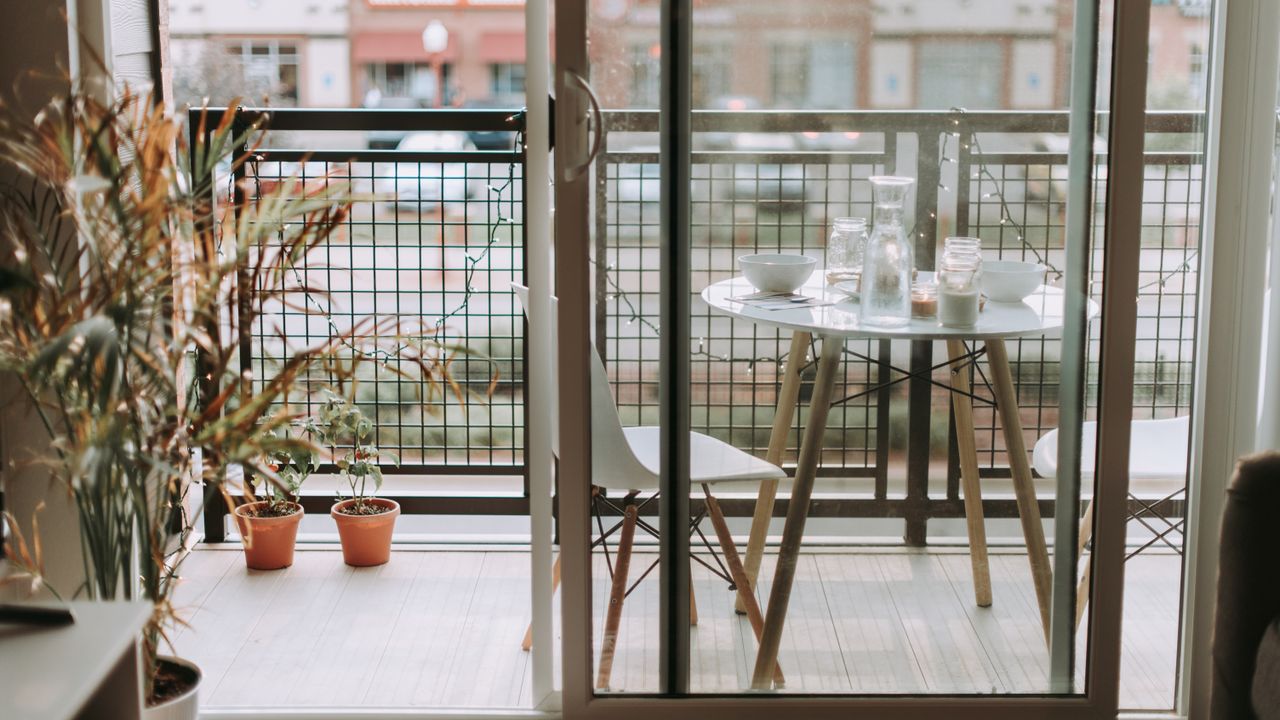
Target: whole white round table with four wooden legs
838	320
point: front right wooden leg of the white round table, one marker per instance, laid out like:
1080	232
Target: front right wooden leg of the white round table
1028	508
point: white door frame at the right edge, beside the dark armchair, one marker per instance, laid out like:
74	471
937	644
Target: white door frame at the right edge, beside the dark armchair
1237	203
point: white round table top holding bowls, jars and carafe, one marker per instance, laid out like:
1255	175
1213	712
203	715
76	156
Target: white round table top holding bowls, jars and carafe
1040	315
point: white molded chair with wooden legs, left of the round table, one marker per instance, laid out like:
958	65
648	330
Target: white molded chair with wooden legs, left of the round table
627	461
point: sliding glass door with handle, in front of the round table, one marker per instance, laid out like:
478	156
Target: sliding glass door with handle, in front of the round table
847	353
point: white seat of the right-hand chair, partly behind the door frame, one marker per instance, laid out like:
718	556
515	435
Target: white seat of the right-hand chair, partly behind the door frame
1158	450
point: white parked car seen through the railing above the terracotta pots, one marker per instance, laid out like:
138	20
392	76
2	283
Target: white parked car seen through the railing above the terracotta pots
429	185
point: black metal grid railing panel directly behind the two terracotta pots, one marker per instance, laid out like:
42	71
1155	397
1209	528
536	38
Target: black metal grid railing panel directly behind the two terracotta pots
436	245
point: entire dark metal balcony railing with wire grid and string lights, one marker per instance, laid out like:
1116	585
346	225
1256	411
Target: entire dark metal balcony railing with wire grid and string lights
438	234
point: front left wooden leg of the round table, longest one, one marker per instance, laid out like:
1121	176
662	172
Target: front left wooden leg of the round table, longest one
798	512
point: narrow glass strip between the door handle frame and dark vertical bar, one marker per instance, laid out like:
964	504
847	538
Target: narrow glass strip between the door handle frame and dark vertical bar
625	258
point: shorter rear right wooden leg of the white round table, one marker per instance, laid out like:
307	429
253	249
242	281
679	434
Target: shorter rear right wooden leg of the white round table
962	405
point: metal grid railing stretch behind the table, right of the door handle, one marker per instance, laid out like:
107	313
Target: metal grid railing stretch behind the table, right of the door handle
1012	198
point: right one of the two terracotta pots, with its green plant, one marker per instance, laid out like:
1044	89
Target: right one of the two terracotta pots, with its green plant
365	523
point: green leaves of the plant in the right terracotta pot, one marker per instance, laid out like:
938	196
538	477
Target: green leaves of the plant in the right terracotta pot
342	427
